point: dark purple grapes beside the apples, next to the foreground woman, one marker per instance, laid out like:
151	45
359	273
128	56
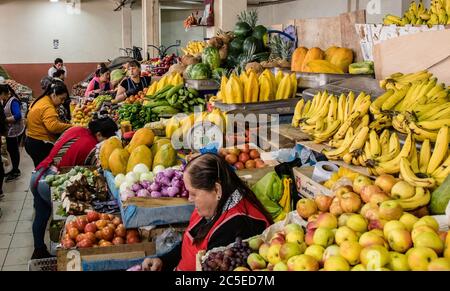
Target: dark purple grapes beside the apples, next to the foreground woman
229	259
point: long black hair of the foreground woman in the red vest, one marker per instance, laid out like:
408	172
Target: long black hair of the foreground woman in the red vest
207	170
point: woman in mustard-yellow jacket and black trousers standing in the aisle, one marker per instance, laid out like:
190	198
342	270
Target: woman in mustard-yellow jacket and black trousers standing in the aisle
43	123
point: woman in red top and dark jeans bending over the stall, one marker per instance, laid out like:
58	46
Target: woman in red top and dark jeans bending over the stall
76	147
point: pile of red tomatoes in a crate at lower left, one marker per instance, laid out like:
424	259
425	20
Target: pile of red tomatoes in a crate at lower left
97	230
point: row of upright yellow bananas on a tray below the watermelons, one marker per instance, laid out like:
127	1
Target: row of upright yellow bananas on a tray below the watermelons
249	88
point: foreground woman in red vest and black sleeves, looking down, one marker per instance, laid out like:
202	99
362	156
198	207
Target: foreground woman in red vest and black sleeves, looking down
225	208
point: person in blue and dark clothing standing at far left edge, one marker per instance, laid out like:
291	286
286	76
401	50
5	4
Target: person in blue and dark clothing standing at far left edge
16	126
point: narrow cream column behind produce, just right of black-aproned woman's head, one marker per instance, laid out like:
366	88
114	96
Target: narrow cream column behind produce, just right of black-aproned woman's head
150	26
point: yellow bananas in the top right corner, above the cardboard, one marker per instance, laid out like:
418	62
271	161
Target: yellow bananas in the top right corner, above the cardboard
417	14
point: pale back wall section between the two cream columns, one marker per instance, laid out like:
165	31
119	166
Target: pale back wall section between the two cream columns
172	28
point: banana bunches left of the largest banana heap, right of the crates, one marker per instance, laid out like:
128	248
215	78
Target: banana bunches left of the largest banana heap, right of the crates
328	116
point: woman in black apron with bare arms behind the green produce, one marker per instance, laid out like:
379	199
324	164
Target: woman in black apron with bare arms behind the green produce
133	84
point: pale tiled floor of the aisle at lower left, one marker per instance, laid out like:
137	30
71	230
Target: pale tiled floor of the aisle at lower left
16	239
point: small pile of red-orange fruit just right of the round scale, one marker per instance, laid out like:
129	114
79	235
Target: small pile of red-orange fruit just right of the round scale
243	157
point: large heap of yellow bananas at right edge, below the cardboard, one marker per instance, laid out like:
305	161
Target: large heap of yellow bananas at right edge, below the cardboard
414	103
